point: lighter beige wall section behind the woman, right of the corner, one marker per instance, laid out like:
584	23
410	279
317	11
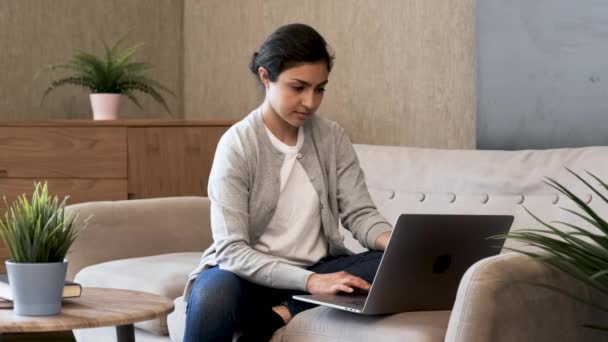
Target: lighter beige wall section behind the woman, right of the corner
404	71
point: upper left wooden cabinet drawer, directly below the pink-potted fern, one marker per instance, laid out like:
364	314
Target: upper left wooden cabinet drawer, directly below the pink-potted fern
63	152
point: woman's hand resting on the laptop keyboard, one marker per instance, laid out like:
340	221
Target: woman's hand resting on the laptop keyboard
332	283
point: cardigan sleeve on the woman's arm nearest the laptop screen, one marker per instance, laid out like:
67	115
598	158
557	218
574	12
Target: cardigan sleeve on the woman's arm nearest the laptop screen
358	213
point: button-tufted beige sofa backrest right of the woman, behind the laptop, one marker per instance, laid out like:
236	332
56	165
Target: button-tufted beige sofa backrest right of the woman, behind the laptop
419	180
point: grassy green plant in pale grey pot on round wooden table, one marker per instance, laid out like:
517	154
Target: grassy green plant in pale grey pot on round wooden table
38	237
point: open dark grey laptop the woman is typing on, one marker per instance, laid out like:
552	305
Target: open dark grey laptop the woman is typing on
423	264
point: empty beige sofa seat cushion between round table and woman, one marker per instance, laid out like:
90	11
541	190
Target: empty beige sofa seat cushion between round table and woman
165	275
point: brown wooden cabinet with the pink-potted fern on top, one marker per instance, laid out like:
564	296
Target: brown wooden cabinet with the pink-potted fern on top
107	160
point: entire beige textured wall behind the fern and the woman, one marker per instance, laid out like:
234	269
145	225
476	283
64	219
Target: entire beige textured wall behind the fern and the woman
404	72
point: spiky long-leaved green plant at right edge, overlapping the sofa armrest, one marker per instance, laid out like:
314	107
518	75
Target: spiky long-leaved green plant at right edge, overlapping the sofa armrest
581	252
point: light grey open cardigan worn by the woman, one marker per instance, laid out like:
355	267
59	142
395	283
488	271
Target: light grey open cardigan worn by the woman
244	189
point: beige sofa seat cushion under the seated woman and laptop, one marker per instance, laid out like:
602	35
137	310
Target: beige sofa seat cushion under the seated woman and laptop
324	324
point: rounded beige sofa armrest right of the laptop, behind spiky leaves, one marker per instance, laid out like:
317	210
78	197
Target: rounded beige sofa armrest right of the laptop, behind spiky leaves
496	302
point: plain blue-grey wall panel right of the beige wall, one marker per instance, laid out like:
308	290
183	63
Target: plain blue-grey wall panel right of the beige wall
542	73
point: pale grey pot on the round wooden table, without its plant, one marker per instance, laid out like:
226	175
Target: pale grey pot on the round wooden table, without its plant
37	288
